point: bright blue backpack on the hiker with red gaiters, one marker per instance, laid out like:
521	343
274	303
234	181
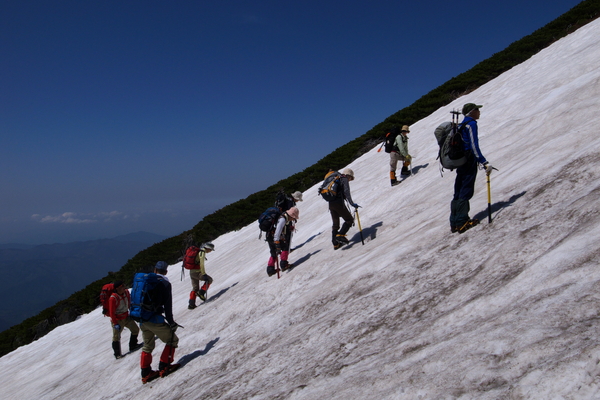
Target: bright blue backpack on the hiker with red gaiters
145	297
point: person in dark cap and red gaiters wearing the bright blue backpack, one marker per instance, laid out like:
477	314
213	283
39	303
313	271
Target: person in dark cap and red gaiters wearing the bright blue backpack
163	327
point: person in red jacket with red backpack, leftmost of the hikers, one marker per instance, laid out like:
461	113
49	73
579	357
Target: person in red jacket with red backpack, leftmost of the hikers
118	311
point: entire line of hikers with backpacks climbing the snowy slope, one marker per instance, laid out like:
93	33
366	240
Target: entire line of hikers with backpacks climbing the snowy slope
151	295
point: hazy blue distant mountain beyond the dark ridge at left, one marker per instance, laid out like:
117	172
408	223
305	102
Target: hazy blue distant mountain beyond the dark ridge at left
39	276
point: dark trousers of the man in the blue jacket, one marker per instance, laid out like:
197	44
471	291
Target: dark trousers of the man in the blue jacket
464	188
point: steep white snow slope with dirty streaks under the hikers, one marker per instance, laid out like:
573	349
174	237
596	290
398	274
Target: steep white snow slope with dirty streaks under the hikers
506	310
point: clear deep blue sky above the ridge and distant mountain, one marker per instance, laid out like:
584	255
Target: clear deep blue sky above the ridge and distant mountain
120	116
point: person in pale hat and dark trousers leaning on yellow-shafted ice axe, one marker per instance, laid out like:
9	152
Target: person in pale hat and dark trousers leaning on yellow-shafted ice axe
338	209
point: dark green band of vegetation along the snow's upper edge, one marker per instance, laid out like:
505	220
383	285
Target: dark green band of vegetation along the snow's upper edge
246	211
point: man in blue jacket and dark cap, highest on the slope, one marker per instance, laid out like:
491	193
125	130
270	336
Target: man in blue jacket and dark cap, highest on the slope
464	185
